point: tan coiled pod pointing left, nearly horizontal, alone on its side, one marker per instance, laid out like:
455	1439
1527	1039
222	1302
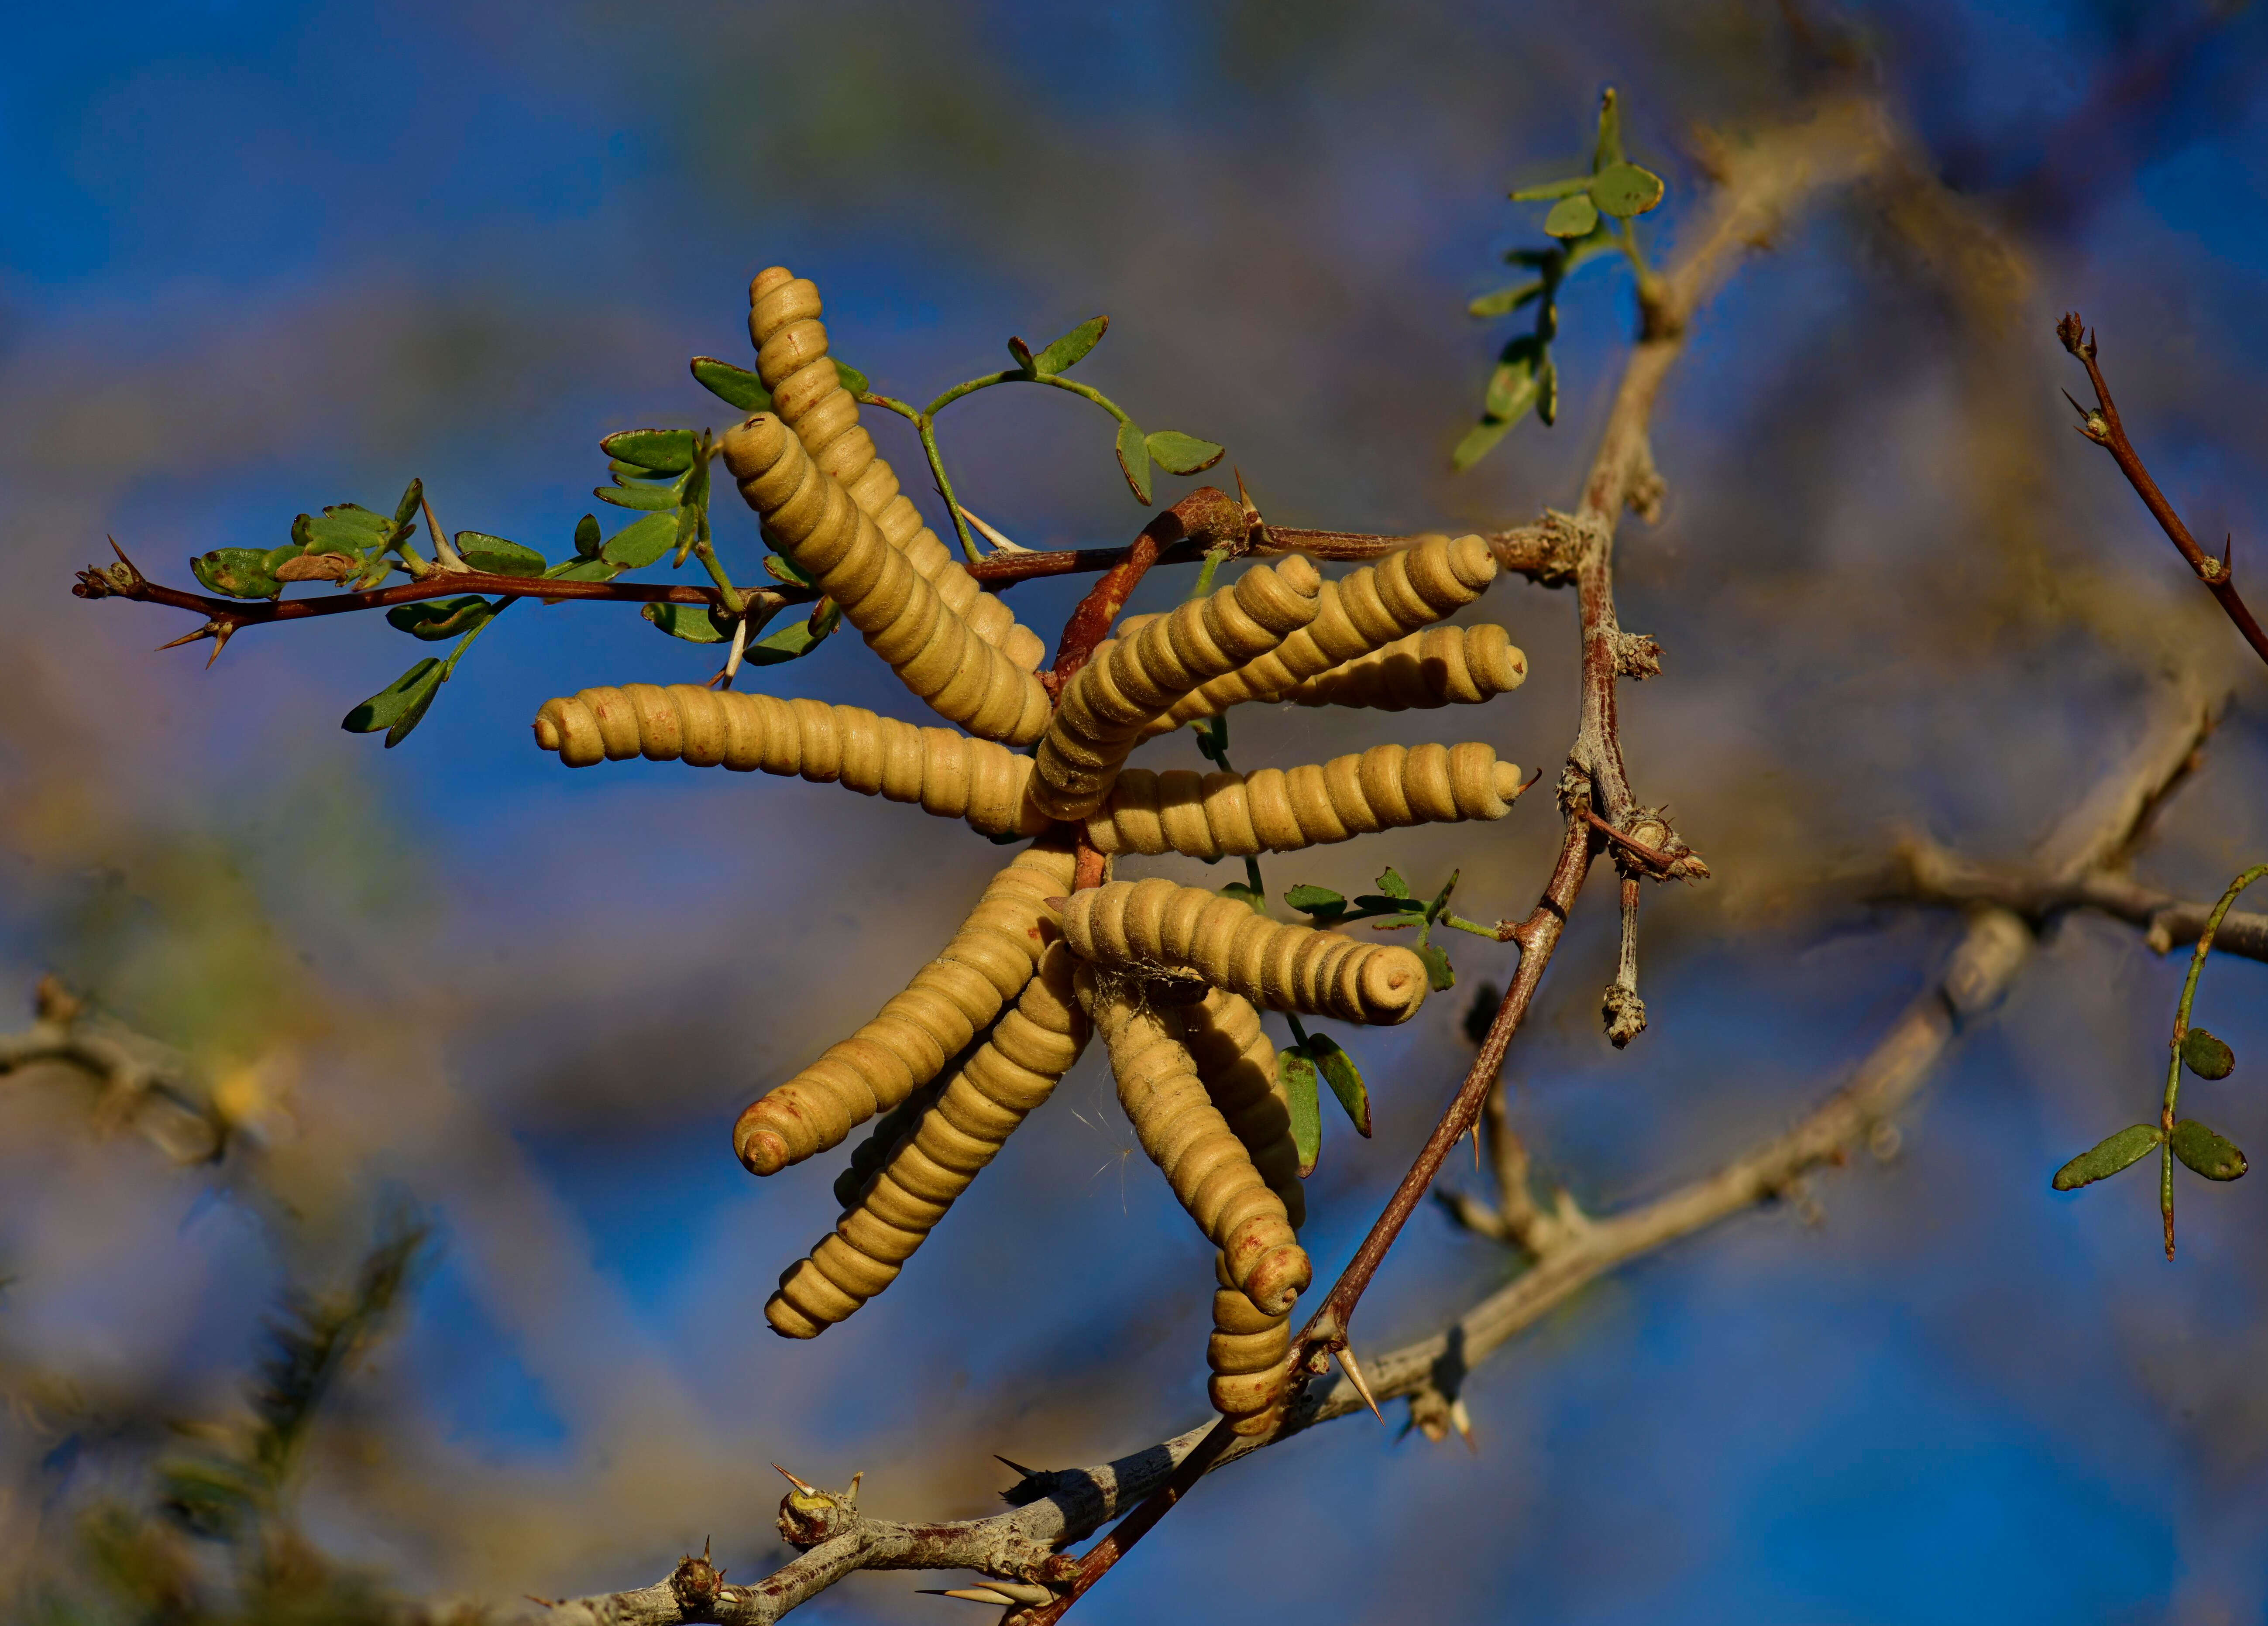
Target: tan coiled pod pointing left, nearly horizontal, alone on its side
877	756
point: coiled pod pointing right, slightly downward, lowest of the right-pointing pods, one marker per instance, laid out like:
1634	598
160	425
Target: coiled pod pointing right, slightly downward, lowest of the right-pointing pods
1156	929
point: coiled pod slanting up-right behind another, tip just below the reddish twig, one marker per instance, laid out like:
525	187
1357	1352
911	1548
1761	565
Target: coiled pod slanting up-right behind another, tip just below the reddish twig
1357	616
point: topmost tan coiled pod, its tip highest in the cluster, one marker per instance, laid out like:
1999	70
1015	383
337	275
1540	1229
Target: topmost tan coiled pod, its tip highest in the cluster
806	391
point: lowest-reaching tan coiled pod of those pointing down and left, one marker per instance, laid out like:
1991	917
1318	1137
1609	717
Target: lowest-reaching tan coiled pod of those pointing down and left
956	1137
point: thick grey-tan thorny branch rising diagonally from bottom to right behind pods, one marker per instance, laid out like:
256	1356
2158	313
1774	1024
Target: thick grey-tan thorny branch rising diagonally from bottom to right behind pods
1568	1253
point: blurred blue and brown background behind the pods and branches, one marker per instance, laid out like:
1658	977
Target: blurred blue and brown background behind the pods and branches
264	257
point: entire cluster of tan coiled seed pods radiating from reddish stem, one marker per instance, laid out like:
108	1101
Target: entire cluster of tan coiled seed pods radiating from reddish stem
1174	979
